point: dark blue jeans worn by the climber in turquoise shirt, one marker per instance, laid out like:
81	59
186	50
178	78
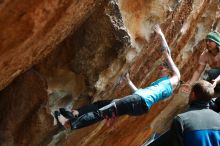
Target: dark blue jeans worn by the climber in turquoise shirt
133	105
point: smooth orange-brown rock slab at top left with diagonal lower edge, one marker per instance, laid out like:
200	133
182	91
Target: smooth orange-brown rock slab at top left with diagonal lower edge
31	30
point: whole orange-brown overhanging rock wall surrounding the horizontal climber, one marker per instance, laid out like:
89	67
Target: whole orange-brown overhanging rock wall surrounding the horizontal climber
68	53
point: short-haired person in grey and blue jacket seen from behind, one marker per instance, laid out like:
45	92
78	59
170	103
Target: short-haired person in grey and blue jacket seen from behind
198	126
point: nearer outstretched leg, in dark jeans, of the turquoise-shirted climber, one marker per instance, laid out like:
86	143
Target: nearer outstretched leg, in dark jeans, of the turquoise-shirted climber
131	105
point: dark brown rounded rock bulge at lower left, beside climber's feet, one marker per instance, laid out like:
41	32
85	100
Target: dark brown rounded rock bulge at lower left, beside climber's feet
24	117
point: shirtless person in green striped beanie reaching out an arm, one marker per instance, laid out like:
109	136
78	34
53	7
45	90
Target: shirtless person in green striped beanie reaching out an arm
210	57
